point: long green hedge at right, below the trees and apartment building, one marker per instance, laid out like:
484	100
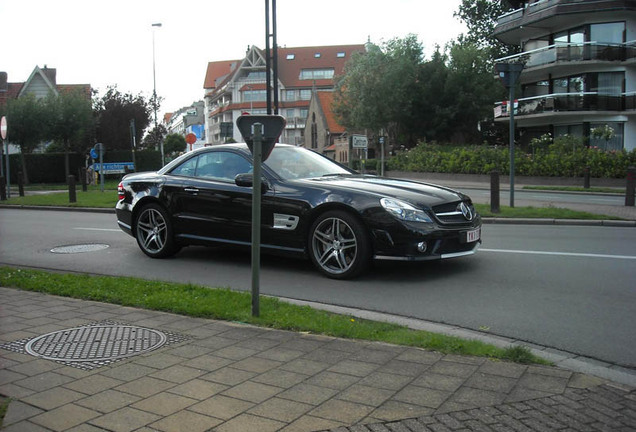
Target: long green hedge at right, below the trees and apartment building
562	159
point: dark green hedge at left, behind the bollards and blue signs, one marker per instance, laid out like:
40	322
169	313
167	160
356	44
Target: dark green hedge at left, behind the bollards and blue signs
49	167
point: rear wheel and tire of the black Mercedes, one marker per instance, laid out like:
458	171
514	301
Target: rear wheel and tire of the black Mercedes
153	231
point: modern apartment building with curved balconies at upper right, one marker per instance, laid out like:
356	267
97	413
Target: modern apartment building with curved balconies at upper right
580	68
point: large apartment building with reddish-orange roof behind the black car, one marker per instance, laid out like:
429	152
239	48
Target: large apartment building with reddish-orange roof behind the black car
235	87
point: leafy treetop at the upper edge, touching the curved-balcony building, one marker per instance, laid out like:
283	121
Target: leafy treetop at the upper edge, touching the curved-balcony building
480	16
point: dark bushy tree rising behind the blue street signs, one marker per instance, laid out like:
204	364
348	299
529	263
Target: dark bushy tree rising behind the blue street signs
114	111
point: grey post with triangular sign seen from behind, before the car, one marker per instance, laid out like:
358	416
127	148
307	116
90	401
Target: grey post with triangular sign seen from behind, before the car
260	134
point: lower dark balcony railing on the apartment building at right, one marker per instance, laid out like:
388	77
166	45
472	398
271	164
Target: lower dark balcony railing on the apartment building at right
564	102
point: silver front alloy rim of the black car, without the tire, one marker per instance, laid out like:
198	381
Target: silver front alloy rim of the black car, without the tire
334	245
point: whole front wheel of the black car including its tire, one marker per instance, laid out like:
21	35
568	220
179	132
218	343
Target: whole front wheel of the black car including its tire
339	245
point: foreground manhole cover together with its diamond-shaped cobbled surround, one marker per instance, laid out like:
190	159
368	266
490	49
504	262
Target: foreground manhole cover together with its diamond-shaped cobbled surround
95	345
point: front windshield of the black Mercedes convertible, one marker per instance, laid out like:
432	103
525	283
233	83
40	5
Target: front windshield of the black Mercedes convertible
297	163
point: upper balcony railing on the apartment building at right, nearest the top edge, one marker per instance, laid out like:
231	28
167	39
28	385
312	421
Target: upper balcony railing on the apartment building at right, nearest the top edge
574	52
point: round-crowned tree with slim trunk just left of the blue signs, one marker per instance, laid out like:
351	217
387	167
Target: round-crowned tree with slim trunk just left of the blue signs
70	121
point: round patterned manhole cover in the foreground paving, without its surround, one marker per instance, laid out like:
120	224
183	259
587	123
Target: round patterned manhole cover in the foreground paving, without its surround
97	343
